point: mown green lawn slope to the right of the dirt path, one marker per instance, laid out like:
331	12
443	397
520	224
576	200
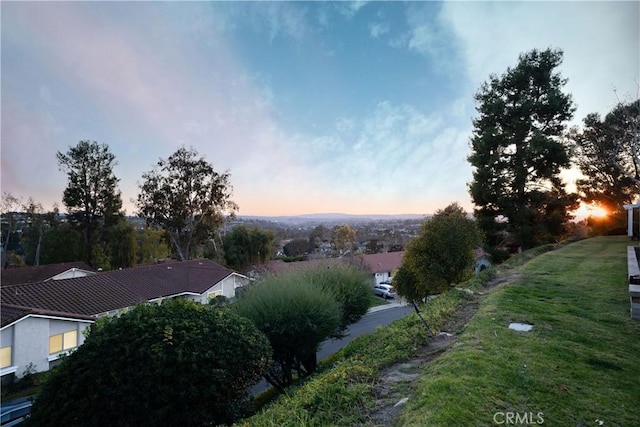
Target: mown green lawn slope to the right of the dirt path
579	364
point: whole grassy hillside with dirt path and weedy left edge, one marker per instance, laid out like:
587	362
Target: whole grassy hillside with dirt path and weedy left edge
579	366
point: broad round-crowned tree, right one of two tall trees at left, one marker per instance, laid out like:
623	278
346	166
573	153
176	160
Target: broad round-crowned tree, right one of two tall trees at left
185	196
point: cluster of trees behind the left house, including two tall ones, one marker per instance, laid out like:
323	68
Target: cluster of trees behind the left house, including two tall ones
183	199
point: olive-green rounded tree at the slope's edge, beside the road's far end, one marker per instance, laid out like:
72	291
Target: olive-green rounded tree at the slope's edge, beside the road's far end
441	256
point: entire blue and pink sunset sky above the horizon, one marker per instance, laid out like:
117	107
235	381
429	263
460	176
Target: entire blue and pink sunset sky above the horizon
312	107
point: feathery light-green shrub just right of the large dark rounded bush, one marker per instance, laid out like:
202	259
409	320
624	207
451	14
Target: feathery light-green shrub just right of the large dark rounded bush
296	316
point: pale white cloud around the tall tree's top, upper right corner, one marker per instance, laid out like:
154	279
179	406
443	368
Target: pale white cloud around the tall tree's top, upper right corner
600	41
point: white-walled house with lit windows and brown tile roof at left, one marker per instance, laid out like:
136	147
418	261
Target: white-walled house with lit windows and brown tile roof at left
42	320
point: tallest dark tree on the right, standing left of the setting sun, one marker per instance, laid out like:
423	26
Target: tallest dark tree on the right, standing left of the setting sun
519	151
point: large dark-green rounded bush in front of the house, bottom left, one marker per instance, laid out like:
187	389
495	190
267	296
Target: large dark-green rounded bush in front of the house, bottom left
179	363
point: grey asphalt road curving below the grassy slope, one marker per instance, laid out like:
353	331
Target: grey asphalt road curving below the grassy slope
369	323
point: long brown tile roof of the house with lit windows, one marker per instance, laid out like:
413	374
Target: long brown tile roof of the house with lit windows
112	290
